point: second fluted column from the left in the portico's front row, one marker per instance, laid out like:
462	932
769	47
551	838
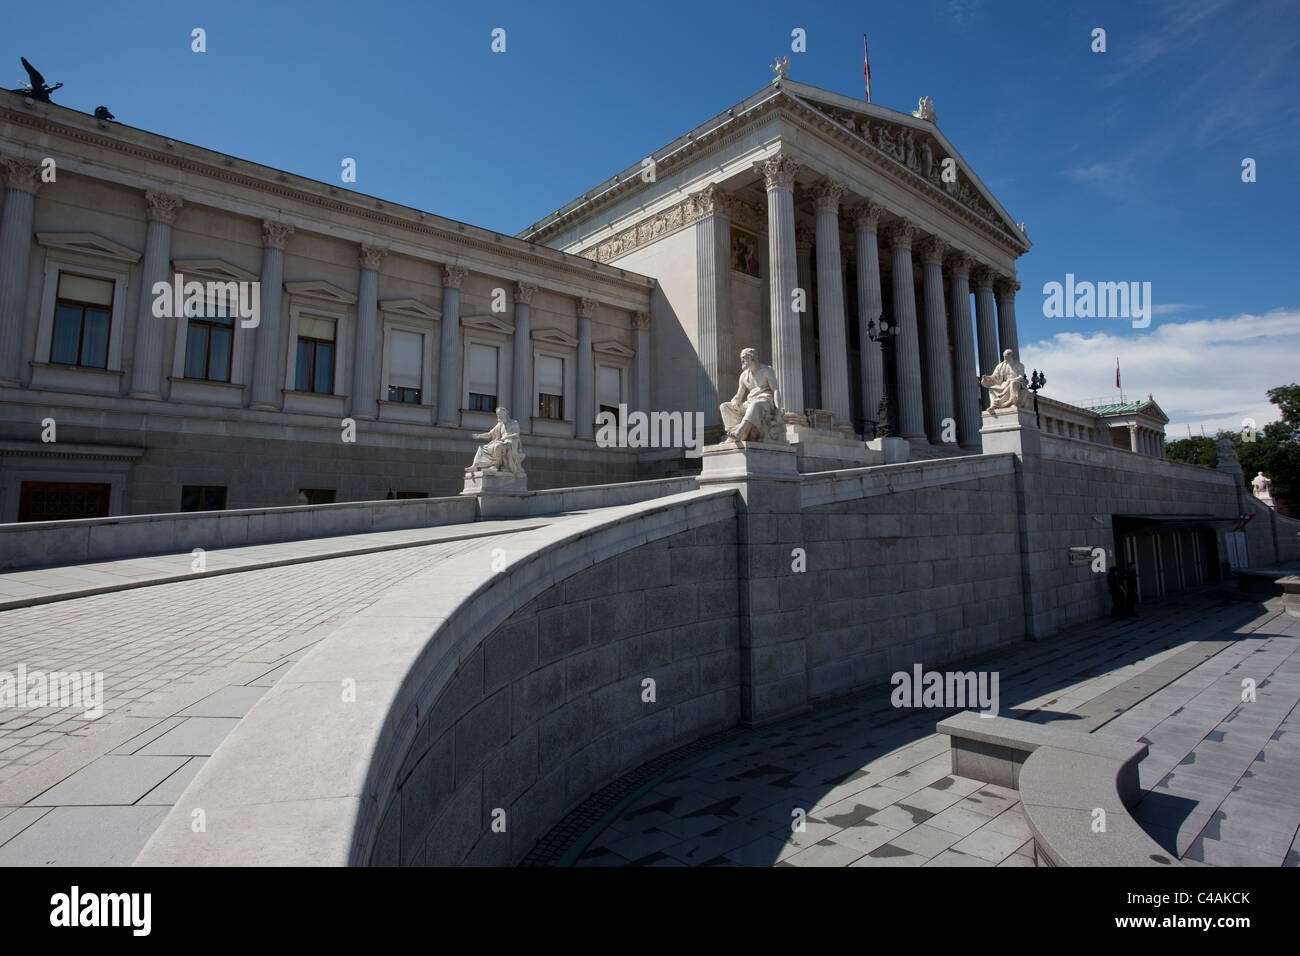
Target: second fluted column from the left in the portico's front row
830	312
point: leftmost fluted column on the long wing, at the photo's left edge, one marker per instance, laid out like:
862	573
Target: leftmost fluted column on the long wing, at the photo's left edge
21	181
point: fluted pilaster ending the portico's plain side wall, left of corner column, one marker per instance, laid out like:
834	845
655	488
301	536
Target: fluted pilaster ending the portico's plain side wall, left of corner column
713	296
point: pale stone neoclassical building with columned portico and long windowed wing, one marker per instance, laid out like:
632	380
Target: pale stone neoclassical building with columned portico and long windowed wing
850	244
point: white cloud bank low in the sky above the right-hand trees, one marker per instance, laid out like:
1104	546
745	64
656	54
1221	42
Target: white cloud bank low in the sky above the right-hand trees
1211	373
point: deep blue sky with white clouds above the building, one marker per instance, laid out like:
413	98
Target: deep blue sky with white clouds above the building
1126	166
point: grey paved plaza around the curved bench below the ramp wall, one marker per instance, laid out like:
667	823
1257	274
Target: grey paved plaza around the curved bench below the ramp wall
876	784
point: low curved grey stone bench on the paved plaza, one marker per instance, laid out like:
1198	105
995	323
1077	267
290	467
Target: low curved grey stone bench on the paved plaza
1064	777
